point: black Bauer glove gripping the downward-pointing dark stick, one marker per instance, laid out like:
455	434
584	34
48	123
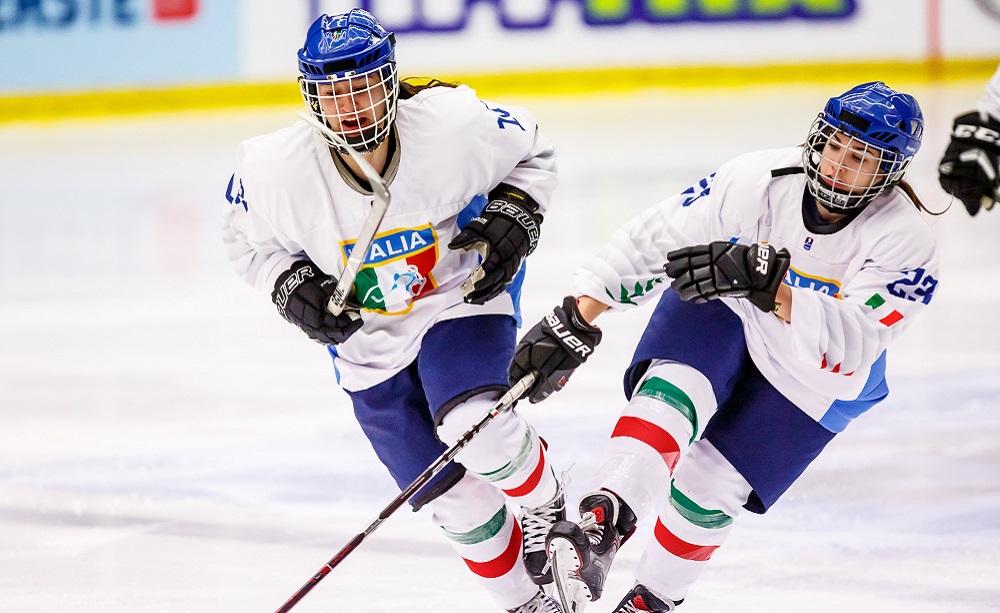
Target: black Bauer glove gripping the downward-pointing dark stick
553	349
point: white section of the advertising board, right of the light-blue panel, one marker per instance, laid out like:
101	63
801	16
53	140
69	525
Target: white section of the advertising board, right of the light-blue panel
871	31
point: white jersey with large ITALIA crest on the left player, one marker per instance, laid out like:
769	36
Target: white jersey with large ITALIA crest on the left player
291	199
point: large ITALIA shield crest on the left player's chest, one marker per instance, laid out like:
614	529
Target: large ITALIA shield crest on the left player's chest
396	270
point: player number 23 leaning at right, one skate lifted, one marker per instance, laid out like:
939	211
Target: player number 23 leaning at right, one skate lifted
792	272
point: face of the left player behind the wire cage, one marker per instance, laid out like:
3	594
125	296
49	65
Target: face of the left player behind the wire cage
355	107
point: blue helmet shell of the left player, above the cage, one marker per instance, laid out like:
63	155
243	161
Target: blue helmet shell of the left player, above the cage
340	46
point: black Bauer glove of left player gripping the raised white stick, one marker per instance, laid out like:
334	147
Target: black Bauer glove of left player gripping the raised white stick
301	294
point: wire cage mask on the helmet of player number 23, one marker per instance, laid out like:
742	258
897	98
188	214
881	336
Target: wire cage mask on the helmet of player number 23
854	181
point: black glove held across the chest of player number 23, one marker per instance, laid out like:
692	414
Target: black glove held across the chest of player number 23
720	268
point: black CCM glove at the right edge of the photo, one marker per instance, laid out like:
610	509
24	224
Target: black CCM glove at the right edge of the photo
970	168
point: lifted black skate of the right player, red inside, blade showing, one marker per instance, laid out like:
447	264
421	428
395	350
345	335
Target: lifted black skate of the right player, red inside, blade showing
581	552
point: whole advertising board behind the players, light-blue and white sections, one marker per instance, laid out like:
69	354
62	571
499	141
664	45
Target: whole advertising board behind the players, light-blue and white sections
83	45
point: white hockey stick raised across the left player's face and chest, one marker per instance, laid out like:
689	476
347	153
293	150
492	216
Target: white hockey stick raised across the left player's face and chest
368	230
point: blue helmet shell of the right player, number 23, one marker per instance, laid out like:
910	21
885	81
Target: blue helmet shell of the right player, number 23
879	116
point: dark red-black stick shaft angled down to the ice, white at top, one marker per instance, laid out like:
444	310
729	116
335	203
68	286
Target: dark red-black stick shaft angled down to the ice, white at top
504	403
